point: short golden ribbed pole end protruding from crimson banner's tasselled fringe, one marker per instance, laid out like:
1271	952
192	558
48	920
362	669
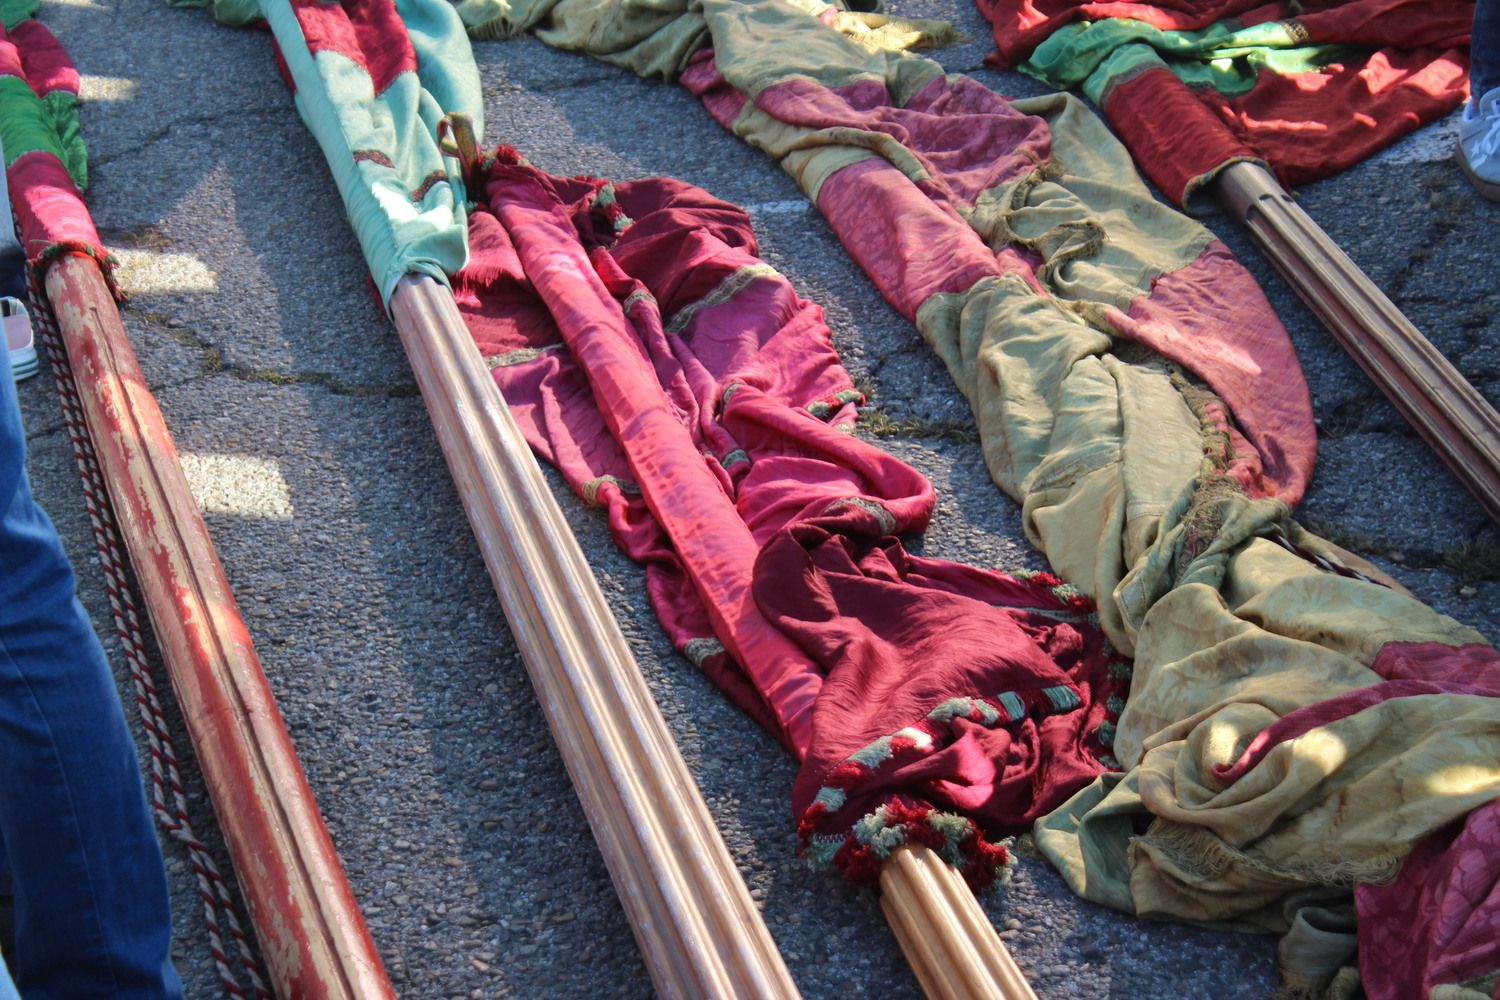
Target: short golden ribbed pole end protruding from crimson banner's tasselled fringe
947	938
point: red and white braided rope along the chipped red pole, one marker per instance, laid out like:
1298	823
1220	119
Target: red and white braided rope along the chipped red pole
166	780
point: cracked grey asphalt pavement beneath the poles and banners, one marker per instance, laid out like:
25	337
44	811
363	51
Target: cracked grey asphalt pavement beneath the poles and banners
313	458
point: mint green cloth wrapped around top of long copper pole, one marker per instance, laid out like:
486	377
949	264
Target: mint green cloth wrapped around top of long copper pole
337	100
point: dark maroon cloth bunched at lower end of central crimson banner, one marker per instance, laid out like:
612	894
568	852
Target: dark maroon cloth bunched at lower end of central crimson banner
898	636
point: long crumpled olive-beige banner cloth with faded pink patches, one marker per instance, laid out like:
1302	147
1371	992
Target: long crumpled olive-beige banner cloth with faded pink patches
1138	397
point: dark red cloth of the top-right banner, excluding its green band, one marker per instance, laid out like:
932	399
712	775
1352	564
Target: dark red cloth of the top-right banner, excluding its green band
1406	65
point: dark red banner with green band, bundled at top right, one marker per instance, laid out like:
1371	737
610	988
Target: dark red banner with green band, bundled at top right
1309	88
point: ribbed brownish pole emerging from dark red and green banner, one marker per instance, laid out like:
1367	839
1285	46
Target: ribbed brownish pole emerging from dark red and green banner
1444	409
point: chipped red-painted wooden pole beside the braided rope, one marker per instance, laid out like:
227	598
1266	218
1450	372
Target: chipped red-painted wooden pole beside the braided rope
310	927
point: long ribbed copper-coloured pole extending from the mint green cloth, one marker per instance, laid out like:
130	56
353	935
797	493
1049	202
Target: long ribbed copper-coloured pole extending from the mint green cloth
698	929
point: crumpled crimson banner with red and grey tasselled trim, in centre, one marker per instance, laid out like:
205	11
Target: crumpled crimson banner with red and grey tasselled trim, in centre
683	385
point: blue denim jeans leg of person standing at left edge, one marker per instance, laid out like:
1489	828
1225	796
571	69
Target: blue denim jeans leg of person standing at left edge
91	893
